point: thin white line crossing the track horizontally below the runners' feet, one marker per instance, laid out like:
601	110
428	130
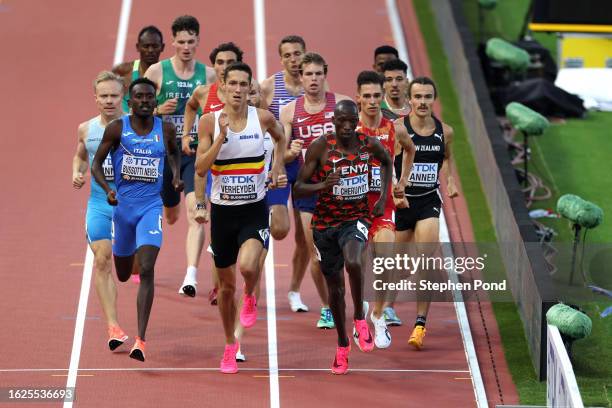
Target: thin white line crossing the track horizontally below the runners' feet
216	369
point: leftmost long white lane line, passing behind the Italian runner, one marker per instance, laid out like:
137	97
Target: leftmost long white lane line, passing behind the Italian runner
77	340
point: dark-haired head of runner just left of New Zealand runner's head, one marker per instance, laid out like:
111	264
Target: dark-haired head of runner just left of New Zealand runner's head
396	87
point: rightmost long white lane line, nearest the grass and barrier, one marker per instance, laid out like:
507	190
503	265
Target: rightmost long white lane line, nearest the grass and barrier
464	325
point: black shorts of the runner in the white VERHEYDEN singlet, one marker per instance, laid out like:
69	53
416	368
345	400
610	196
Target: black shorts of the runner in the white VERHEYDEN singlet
232	225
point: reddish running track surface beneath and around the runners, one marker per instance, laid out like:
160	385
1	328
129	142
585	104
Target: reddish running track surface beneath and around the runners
55	50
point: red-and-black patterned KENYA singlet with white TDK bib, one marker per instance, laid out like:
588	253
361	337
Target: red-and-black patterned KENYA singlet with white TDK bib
347	200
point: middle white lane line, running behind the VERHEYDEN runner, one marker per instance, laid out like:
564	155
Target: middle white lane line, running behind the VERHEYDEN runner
260	52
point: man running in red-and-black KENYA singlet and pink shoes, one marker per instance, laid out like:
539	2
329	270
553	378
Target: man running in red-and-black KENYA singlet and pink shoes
342	160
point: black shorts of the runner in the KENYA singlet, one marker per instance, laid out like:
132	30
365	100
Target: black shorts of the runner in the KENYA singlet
330	241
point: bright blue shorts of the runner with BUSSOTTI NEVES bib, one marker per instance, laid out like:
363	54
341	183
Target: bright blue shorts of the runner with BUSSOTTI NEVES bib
136	222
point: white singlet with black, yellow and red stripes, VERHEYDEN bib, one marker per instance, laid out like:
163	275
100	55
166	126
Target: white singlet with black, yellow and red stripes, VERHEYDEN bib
238	172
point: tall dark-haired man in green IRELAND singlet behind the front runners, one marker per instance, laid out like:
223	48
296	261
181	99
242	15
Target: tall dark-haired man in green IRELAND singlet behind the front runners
176	79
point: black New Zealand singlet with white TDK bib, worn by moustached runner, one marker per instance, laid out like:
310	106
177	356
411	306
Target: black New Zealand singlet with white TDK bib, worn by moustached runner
428	159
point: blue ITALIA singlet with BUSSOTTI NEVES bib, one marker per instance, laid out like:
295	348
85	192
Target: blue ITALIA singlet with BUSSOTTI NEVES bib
138	162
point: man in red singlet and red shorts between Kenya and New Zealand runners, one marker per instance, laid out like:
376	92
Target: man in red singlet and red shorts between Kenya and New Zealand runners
394	138
